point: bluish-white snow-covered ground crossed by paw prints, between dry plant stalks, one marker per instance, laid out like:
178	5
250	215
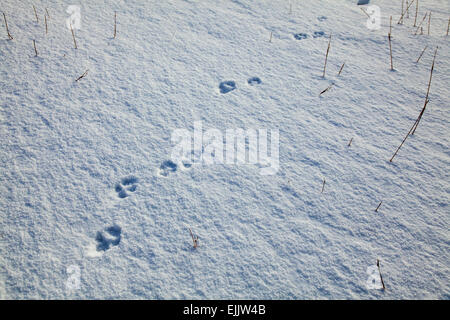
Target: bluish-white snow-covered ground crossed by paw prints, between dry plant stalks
87	190
